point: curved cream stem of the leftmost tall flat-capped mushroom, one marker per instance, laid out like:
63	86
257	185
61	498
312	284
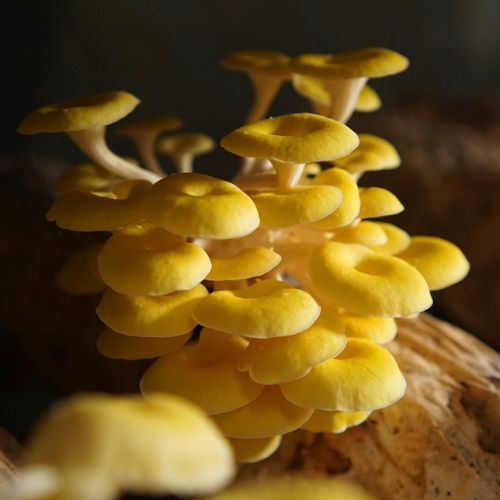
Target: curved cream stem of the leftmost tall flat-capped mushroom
92	142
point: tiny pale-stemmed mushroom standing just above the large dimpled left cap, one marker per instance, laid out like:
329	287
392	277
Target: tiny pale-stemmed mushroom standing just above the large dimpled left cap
182	148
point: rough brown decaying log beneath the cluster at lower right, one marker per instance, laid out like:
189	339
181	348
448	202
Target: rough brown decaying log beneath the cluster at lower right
442	440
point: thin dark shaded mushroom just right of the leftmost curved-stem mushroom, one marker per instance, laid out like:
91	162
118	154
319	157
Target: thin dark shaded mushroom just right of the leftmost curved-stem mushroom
144	132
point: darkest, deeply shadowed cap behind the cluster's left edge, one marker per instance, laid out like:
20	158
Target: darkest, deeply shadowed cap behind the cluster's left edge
79	275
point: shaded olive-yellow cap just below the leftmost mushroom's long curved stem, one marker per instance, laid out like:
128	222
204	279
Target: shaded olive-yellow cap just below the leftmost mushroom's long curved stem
111	210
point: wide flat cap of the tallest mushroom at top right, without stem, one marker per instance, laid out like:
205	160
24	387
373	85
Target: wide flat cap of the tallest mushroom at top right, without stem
371	62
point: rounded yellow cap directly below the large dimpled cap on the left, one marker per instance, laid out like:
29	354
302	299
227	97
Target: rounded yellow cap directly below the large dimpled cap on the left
144	260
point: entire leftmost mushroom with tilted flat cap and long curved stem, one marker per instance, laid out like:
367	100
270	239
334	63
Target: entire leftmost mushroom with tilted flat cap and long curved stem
84	120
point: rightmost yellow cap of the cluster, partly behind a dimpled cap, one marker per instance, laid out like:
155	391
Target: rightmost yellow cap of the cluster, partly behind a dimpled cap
440	262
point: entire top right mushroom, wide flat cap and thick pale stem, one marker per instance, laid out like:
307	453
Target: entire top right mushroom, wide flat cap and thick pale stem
345	74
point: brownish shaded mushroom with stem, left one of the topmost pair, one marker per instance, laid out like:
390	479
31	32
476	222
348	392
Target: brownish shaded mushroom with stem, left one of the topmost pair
267	71
